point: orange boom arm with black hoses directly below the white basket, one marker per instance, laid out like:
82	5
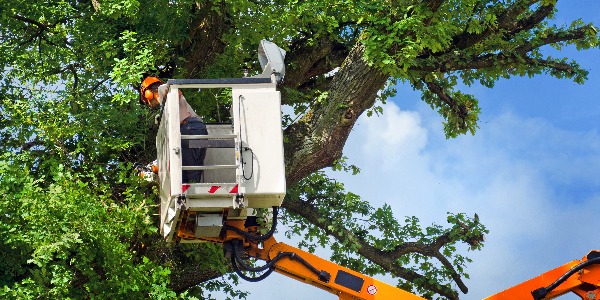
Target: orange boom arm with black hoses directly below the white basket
302	266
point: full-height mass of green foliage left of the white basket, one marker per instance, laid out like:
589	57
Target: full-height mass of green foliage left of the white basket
73	216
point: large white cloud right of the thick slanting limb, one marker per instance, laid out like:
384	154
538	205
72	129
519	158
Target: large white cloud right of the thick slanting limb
507	174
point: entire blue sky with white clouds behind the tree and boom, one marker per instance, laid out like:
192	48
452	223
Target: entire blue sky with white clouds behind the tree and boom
531	172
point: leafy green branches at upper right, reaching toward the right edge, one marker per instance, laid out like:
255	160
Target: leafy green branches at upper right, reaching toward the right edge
414	44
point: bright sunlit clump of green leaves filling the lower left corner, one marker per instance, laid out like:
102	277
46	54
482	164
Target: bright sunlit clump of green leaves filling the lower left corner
73	240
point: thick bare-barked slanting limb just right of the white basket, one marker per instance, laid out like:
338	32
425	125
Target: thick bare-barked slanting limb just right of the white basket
317	140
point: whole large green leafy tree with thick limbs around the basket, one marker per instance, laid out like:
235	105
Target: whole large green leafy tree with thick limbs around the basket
74	221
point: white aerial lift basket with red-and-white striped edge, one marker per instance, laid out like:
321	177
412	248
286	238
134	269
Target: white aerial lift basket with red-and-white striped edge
244	164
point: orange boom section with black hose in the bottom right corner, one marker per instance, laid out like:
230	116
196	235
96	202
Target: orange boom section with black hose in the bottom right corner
581	277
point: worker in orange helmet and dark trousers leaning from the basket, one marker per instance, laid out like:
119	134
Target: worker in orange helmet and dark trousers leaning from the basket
153	92
